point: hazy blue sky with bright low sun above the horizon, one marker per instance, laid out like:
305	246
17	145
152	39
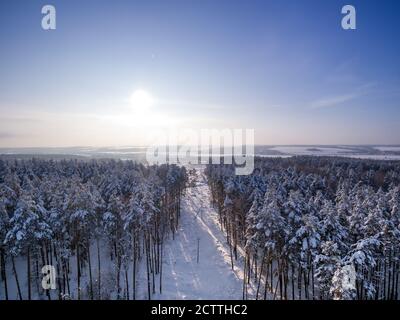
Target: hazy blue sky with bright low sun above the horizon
113	71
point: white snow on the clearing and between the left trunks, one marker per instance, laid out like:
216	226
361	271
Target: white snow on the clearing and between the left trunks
183	278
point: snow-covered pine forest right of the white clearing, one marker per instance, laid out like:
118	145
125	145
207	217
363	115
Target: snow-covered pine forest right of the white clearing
310	224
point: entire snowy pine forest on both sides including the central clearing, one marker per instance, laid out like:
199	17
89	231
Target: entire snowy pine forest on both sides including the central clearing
304	227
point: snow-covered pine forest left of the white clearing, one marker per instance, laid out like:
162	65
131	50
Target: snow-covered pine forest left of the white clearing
93	220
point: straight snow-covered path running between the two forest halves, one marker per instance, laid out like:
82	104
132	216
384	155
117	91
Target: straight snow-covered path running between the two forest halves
212	277
